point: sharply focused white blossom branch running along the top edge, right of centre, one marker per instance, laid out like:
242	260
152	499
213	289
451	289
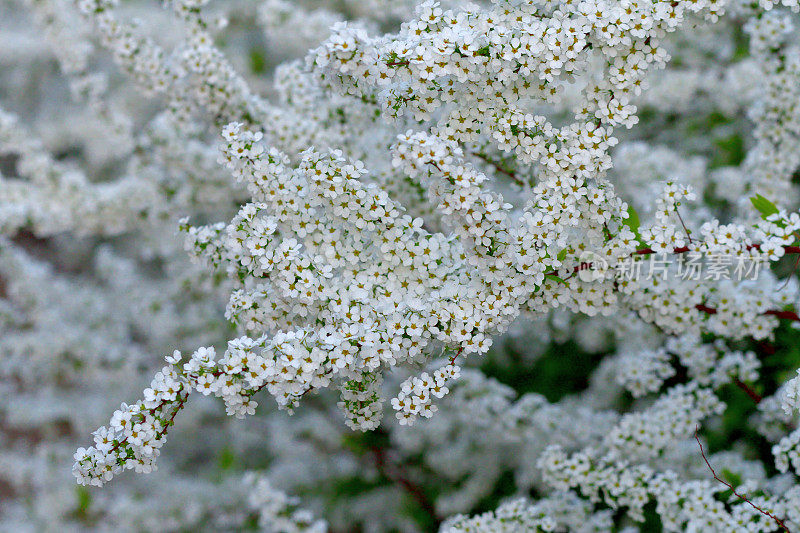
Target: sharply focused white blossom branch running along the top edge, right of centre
483	60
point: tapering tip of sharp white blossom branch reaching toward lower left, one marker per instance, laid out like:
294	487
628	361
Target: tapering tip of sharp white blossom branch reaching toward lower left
288	365
